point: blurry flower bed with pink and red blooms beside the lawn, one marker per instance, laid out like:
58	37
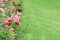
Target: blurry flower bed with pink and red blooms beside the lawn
10	16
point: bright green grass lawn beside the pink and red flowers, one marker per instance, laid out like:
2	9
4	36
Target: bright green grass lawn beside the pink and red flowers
40	20
